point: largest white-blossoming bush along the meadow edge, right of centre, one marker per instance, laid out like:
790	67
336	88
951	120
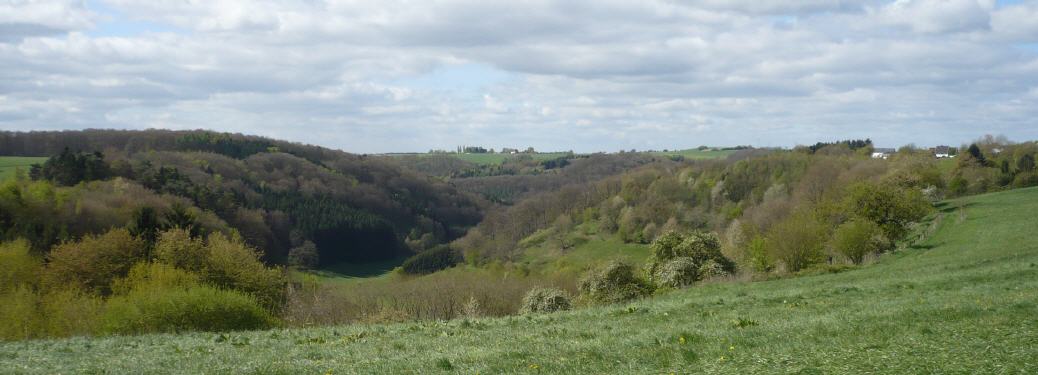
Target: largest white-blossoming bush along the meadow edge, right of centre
677	259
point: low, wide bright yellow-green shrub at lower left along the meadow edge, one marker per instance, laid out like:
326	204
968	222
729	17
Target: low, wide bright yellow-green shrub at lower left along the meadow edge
199	308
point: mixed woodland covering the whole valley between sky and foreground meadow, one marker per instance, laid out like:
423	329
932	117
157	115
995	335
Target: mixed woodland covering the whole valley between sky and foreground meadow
132	232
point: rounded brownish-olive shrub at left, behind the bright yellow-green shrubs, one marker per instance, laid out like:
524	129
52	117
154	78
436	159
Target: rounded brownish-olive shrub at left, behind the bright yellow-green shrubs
93	263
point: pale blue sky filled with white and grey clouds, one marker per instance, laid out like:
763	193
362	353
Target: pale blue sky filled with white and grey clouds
583	75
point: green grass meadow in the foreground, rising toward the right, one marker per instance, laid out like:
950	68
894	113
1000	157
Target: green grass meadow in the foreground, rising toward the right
964	302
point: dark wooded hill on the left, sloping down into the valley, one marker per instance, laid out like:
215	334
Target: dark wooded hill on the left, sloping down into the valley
278	195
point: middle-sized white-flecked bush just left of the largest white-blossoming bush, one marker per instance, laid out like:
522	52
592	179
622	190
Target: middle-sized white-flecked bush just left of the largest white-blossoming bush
615	283
